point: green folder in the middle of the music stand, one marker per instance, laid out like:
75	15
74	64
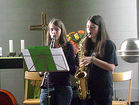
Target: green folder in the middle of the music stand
42	58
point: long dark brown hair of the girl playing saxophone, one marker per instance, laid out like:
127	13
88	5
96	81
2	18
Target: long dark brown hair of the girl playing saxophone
102	36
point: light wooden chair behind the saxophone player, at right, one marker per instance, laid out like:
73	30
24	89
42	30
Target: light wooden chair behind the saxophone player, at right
121	77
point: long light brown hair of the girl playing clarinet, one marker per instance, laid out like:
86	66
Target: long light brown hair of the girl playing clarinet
60	24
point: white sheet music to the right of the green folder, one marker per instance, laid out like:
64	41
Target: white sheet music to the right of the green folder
59	59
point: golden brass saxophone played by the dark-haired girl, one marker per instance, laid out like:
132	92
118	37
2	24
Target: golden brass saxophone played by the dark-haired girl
81	74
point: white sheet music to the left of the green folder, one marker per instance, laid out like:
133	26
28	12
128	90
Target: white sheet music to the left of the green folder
28	60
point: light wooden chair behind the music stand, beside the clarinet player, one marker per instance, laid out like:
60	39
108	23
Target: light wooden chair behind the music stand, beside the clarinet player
31	76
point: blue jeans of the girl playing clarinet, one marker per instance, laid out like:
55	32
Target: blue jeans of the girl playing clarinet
59	96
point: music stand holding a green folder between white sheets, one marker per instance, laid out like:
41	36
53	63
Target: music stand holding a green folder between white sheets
44	59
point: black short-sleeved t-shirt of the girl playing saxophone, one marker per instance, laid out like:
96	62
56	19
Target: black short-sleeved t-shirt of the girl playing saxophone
100	80
